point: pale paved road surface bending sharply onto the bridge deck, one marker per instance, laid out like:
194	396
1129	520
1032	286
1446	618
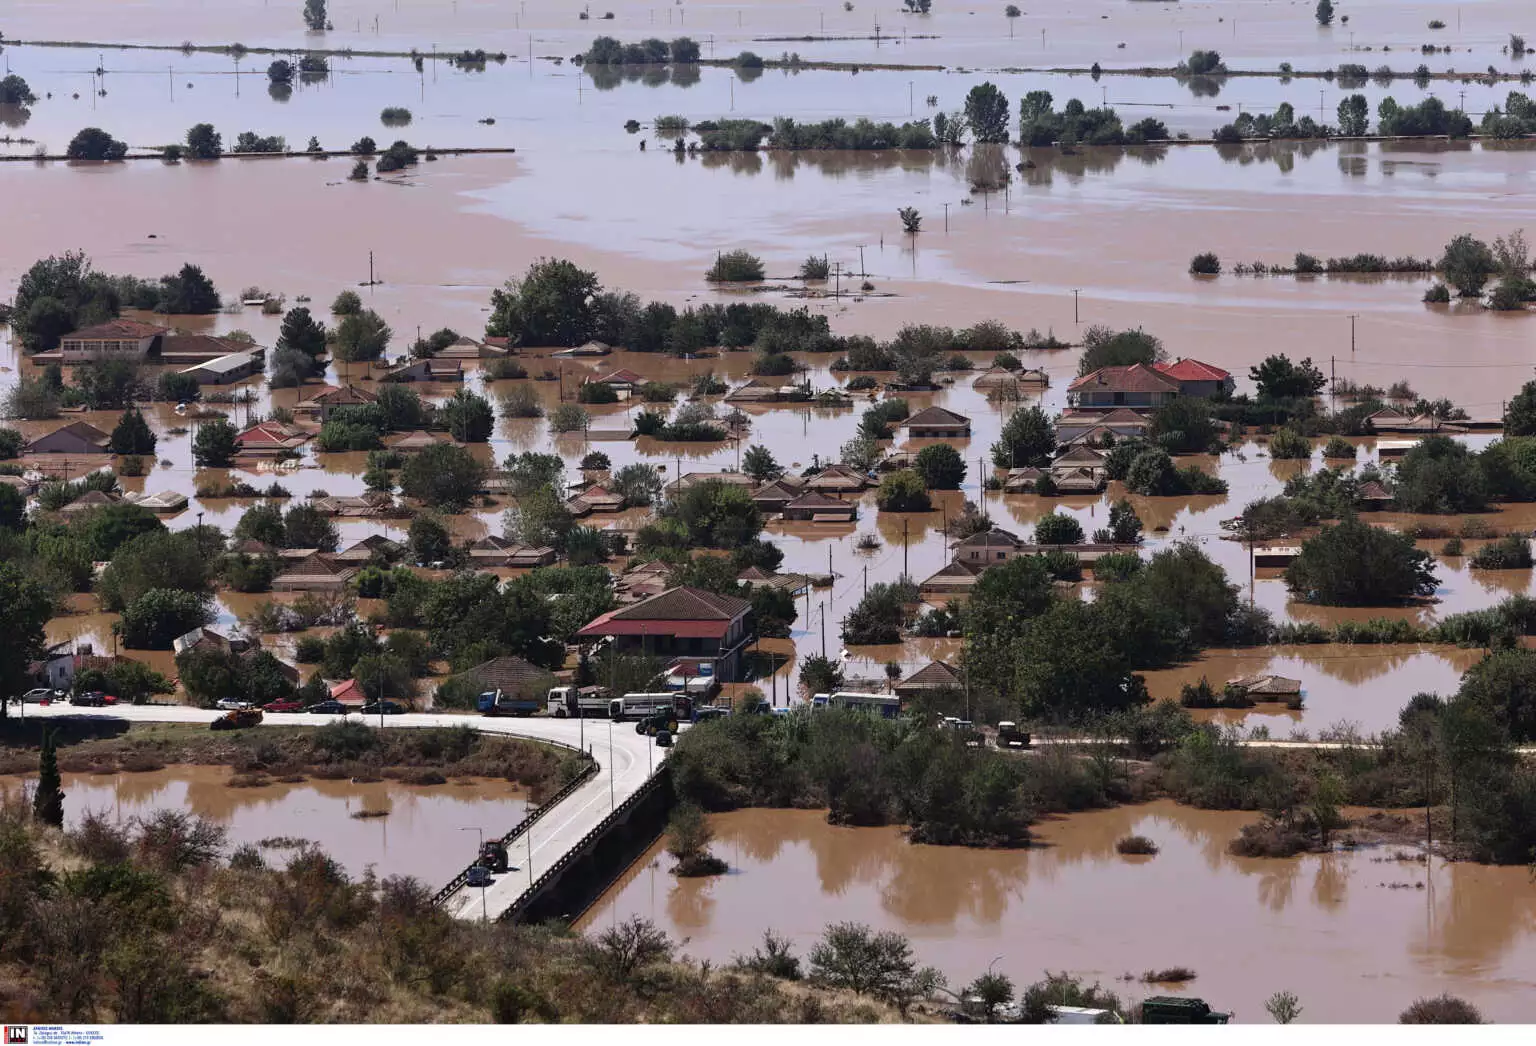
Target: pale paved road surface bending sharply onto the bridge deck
624	763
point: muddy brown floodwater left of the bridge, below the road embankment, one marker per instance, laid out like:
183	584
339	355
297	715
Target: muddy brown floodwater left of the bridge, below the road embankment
422	833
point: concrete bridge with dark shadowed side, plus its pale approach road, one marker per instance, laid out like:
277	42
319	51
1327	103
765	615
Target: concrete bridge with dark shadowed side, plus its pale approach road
575	835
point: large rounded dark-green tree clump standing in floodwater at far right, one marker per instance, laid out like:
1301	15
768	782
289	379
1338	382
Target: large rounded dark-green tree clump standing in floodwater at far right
1356	564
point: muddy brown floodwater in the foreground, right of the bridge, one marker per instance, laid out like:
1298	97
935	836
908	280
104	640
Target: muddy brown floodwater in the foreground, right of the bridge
1359	936
